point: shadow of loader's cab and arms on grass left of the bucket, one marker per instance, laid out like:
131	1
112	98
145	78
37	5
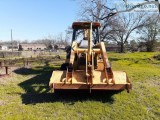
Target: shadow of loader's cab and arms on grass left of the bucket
38	79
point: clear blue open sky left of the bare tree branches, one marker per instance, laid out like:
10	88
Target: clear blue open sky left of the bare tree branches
35	19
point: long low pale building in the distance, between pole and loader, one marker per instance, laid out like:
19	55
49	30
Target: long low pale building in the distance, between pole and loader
32	46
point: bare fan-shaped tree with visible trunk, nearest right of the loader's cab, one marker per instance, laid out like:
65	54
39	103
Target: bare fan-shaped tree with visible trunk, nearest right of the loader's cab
125	26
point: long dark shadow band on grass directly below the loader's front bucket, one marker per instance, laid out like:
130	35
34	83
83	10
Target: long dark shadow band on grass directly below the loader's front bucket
69	97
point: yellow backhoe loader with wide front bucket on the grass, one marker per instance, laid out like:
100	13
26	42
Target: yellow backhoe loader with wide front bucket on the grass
87	66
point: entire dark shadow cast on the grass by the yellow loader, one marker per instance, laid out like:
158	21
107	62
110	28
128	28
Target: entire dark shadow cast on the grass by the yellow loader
38	91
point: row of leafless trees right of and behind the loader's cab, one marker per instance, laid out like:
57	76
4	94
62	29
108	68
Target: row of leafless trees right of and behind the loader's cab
123	27
